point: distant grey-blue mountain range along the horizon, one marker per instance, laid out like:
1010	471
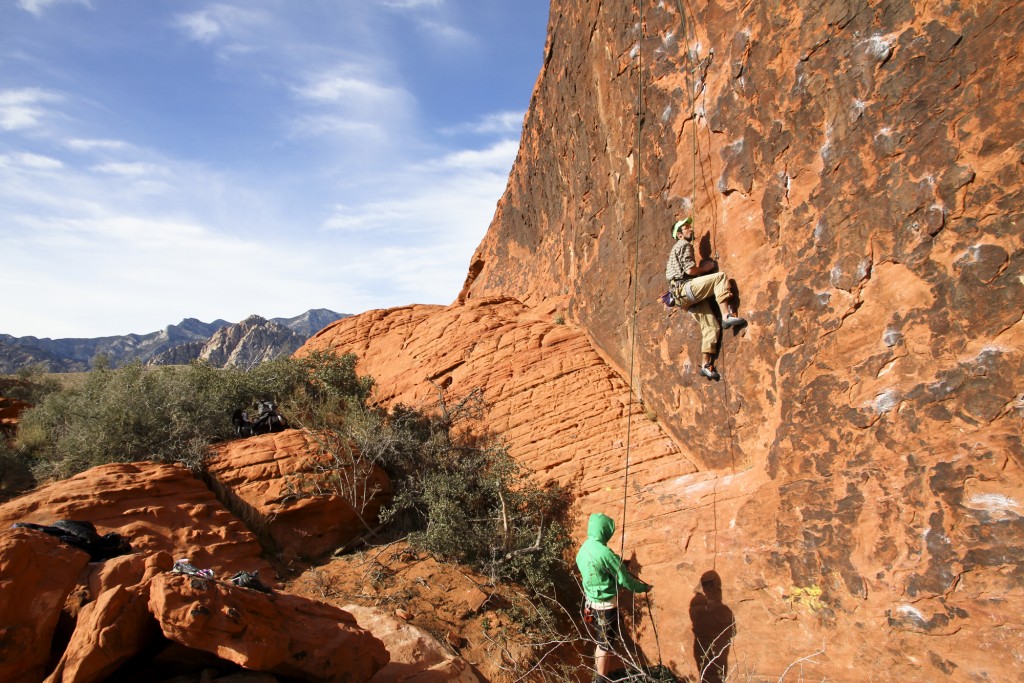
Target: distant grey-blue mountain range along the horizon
222	344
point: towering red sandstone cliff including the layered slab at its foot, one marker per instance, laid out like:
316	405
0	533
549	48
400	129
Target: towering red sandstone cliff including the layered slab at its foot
856	481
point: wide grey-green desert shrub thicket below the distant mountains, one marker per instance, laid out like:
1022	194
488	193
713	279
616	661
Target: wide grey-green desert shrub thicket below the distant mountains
173	414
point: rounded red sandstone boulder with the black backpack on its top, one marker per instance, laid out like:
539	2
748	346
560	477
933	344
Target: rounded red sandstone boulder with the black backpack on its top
309	494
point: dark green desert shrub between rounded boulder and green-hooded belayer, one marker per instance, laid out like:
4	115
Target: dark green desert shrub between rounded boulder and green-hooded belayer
463	498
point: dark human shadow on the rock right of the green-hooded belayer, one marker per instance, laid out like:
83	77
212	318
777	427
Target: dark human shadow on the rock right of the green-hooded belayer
714	629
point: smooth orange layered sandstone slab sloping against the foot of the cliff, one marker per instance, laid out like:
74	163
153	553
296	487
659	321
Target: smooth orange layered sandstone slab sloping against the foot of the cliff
560	408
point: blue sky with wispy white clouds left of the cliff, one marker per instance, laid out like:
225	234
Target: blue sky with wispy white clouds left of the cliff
170	159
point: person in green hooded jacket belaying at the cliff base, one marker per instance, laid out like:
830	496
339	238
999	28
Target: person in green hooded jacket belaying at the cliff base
604	576
